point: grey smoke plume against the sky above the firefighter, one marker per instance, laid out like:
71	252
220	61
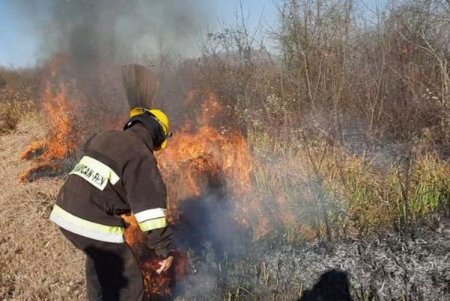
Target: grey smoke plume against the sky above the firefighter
91	31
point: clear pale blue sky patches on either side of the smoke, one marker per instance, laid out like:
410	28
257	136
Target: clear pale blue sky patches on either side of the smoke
19	46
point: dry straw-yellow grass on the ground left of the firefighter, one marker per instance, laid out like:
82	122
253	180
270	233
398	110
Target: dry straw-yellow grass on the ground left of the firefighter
36	262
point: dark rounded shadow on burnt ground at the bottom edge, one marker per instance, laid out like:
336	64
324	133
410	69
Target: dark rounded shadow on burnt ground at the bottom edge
332	286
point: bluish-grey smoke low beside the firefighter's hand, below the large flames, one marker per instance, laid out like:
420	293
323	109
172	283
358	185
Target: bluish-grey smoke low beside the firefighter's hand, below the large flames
211	234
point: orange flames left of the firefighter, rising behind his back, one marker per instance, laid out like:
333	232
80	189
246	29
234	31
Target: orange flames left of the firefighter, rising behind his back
67	120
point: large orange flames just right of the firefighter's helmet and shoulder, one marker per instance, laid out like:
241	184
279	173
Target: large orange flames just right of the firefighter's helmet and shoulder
203	159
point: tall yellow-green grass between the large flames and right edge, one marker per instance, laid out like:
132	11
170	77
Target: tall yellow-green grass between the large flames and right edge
312	190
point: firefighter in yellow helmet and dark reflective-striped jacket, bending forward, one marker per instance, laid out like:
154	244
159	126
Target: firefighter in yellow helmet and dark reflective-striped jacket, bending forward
117	175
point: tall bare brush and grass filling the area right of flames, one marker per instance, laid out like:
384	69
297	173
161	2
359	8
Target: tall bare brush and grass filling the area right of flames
351	122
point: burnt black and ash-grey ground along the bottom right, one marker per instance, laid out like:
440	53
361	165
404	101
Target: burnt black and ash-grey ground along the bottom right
392	267
